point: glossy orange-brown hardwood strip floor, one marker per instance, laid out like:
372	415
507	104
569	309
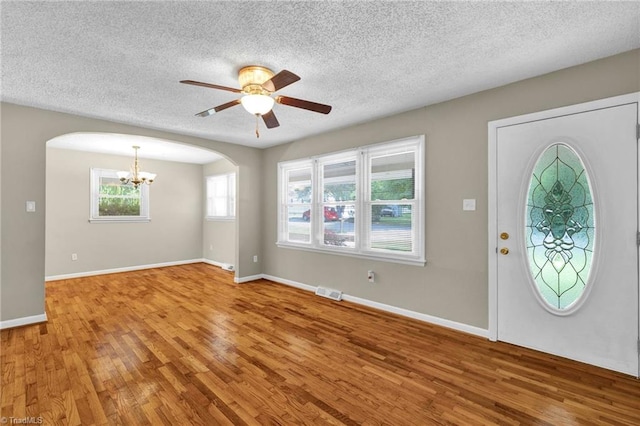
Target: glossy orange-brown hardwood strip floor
185	345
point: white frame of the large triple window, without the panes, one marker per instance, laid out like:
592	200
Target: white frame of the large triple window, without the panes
363	203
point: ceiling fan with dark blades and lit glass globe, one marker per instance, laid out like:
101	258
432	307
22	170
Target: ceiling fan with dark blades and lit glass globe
258	84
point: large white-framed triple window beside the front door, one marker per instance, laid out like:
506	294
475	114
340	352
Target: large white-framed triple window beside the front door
366	202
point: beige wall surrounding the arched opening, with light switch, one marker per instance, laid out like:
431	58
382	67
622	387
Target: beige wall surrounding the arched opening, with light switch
24	134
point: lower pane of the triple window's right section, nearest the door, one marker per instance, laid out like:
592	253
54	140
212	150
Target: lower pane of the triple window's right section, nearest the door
391	227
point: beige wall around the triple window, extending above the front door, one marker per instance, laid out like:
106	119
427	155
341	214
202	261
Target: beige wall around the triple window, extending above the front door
453	284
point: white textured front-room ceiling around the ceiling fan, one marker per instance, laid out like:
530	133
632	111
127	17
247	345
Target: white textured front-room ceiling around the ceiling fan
123	61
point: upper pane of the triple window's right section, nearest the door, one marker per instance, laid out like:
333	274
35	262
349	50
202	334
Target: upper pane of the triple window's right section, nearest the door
392	177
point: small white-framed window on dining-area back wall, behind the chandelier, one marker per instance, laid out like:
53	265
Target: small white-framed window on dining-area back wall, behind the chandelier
111	201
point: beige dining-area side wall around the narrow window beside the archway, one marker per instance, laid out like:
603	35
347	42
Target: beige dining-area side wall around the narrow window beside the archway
219	237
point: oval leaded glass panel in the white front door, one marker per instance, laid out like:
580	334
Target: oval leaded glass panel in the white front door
560	226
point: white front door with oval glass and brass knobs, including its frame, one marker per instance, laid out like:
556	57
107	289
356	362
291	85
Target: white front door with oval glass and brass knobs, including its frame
564	275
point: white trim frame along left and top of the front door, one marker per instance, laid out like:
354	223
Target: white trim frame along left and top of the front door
493	126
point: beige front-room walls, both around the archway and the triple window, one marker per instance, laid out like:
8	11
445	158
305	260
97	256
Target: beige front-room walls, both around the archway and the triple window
453	284
